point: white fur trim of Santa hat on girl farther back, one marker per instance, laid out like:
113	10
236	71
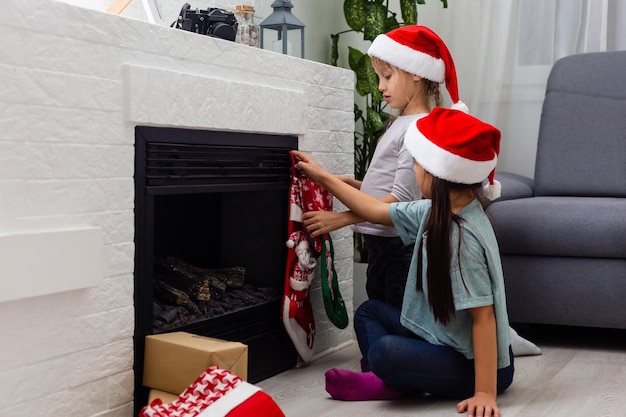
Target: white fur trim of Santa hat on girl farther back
408	59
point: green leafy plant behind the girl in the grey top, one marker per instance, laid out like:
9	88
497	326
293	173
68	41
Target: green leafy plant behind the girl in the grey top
370	18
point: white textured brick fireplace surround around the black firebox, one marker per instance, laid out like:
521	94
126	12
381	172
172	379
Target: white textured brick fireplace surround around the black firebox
74	83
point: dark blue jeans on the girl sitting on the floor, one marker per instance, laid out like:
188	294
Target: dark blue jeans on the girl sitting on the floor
407	363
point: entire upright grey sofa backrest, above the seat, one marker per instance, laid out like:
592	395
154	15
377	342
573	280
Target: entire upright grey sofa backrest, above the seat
581	149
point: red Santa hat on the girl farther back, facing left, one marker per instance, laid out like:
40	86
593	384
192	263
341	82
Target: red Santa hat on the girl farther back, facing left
420	51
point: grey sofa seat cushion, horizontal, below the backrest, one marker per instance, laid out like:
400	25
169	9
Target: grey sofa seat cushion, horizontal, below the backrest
561	226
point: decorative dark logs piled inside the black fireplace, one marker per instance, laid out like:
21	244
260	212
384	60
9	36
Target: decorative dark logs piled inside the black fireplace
186	293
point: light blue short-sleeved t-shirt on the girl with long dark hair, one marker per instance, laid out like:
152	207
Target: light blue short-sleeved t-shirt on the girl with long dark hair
477	282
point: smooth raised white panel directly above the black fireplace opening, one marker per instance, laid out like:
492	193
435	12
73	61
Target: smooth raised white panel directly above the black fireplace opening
182	99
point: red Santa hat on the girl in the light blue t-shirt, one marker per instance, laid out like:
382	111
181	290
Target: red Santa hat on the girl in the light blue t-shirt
456	147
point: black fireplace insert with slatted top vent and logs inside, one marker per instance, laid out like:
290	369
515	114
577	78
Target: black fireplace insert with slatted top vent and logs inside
213	203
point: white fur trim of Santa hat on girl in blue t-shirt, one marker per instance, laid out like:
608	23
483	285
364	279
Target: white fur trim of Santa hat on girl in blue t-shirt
443	164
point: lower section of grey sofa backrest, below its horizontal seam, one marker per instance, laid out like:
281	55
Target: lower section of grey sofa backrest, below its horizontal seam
581	149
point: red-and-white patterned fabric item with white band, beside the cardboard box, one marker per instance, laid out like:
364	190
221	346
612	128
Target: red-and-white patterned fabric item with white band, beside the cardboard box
216	393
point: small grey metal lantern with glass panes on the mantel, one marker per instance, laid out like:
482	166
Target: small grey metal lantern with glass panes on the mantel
282	21
